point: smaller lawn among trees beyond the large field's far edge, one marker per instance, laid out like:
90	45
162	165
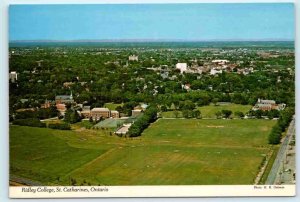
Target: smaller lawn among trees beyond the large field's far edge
210	110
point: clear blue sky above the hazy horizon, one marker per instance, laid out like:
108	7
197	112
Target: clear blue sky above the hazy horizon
152	21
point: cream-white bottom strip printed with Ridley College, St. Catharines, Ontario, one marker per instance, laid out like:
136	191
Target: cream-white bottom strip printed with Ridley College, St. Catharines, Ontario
151	191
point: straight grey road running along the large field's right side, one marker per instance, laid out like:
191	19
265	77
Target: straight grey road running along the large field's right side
281	156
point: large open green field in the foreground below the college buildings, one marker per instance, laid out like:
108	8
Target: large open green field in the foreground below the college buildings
170	152
